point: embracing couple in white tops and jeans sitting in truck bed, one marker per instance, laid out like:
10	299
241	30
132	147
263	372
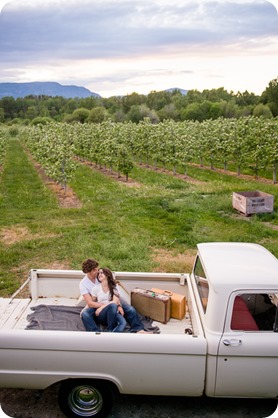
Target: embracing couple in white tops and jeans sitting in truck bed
99	290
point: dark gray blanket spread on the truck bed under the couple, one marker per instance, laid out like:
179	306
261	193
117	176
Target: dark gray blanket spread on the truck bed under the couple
67	318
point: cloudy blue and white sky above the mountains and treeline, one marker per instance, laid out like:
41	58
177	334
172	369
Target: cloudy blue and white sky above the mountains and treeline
117	47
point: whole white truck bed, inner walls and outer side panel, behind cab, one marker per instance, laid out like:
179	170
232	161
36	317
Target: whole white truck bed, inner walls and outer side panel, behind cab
153	364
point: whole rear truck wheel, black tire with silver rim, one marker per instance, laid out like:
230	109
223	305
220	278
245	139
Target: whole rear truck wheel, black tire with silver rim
85	398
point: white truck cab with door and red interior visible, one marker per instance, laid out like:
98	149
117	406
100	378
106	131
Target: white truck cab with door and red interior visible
236	288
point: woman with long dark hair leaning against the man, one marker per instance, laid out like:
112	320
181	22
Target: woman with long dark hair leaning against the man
111	312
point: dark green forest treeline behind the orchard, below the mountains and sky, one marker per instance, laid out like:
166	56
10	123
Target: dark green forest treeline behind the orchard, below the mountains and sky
156	106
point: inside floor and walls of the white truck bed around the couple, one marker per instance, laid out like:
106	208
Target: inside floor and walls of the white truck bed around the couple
46	287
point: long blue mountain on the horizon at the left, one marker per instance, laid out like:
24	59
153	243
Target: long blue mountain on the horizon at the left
43	88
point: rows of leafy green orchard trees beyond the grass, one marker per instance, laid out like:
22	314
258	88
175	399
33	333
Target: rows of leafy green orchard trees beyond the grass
248	143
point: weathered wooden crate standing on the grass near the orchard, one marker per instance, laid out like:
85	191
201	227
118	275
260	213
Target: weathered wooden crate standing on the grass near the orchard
249	203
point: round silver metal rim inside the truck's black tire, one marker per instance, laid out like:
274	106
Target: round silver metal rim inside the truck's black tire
85	401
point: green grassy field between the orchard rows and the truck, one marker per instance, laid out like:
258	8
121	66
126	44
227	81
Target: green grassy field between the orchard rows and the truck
152	223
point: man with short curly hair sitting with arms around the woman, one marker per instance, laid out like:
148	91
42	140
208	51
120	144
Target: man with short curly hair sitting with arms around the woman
90	268
